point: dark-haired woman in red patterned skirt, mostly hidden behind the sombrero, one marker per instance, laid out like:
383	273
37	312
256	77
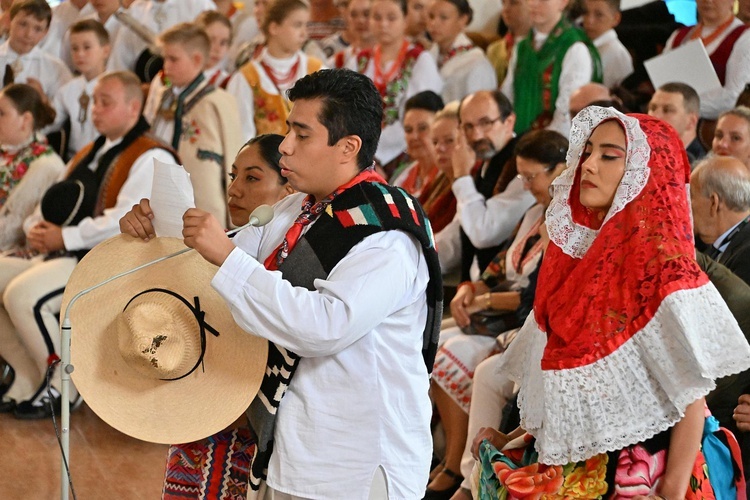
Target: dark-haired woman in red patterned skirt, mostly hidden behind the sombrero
220	462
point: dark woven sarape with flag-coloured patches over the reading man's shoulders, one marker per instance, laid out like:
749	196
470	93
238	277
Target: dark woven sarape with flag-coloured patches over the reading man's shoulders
361	211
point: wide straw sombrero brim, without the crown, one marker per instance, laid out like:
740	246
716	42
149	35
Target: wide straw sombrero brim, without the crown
170	412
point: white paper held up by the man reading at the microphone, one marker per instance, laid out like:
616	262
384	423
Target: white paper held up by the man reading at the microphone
171	196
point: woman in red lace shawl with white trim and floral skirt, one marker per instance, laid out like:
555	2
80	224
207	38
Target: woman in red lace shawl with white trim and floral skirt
627	335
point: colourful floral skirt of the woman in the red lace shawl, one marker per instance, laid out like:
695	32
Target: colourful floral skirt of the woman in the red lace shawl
636	470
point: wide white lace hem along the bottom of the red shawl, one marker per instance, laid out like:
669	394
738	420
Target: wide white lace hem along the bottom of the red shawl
639	390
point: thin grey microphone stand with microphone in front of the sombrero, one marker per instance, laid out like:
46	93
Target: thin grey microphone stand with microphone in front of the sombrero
260	217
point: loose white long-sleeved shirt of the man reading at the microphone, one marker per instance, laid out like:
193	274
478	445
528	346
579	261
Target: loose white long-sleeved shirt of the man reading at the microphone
359	398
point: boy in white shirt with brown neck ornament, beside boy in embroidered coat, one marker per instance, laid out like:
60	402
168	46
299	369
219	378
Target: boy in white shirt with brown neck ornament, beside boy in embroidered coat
90	48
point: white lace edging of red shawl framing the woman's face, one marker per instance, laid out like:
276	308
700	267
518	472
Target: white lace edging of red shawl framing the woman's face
575	239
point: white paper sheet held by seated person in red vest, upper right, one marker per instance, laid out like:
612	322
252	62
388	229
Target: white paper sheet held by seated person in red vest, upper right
688	64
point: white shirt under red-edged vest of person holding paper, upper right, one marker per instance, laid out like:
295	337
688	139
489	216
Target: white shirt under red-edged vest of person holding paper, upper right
717	101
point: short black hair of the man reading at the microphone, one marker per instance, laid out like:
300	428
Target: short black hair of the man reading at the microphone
351	105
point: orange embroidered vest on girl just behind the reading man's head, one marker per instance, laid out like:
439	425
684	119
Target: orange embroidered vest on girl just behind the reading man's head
271	110
